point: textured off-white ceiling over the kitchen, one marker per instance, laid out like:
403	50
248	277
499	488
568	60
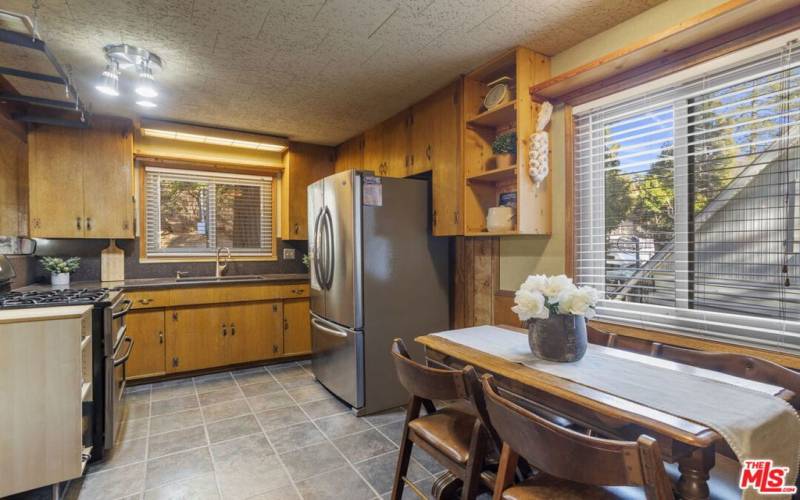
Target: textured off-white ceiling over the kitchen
313	70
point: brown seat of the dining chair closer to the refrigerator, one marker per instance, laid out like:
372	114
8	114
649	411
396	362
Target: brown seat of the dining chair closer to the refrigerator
449	430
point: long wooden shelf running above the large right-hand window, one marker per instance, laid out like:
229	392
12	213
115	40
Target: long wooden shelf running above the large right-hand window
656	48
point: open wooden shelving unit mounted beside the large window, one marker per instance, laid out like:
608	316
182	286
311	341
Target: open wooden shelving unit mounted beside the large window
484	184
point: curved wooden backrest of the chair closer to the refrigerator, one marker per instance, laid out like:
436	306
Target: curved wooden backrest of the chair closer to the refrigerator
425	382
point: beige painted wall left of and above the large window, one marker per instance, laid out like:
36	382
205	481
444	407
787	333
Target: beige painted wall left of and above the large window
521	256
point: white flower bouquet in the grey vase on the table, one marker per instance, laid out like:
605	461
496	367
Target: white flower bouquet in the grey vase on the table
540	296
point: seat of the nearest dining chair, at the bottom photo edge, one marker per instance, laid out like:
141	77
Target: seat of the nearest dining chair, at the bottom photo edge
544	487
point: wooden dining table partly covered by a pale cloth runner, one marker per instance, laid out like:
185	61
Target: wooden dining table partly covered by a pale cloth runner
689	444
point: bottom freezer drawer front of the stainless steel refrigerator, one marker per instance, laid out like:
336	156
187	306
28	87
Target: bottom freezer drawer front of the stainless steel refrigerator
338	360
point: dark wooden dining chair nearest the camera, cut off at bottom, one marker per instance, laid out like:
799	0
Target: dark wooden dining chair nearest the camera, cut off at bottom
572	465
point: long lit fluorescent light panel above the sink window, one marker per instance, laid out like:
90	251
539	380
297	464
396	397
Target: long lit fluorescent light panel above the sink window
184	132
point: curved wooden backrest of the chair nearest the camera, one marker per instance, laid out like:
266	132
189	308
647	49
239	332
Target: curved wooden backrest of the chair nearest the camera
573	456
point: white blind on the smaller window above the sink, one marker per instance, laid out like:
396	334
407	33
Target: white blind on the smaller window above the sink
192	213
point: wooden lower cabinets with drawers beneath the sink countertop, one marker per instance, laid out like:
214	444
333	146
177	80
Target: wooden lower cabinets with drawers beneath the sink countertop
181	339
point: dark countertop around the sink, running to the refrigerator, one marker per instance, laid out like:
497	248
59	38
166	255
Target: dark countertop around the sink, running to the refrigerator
154	283
